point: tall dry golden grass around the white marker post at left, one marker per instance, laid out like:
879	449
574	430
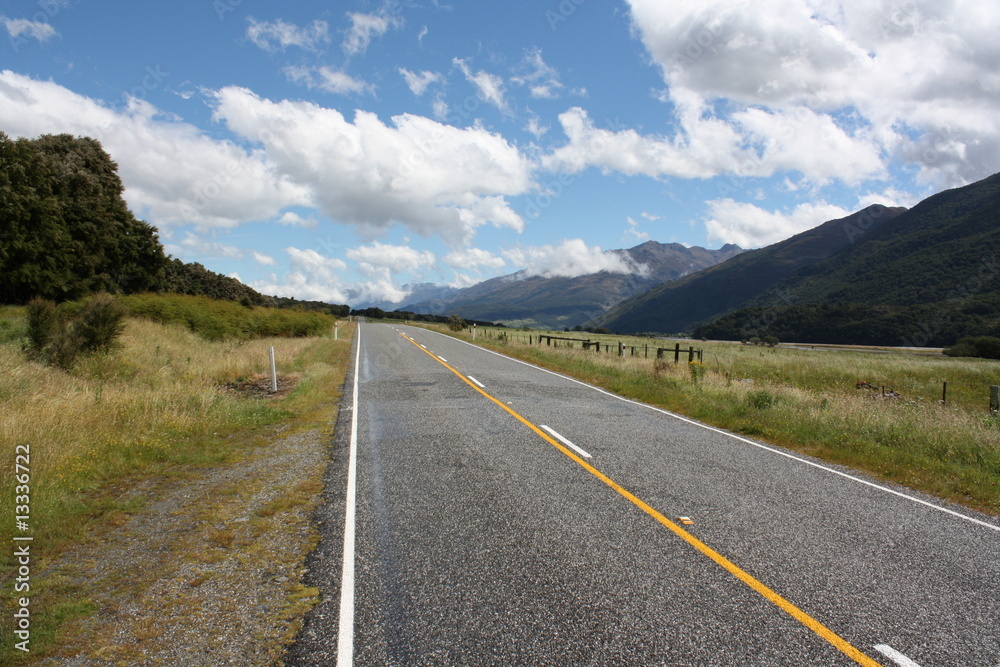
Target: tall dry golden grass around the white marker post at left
153	403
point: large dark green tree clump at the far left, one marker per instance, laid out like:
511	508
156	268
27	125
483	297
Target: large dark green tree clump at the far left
65	230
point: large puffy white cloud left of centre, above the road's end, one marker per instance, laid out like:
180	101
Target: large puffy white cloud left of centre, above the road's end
431	177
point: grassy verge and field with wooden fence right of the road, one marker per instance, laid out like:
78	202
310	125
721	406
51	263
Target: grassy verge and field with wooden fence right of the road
880	412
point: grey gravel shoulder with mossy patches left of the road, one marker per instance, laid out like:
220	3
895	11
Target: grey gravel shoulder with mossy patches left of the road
209	571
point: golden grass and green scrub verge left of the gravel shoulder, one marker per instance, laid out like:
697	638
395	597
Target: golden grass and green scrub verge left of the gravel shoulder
161	401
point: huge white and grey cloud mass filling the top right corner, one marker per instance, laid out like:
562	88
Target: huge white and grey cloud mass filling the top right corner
881	80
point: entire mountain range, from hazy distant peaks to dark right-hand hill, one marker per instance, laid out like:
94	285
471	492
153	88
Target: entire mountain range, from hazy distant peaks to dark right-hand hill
927	275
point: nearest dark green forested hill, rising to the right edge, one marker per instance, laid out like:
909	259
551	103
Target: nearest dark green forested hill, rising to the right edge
930	277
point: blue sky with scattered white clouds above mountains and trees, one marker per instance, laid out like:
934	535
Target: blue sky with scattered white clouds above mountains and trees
343	150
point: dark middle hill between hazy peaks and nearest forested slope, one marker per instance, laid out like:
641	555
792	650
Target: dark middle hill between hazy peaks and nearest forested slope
679	306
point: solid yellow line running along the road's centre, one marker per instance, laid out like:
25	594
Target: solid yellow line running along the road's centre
805	619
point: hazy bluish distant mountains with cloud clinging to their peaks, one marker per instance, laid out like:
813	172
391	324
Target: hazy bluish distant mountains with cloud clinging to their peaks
560	302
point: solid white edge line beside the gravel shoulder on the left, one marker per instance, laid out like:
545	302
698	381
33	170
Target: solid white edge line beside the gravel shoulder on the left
345	631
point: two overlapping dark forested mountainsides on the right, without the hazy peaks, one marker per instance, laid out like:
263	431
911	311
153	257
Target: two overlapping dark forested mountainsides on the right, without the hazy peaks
886	276
